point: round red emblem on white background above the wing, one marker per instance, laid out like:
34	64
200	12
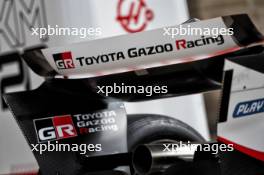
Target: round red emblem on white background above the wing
133	15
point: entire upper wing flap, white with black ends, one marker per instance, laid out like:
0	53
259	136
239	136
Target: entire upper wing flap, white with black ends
143	50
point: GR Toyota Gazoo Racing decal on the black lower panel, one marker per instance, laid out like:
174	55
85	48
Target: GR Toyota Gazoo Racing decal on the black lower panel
67	126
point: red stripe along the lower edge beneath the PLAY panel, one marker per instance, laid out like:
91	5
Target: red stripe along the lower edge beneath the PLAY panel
256	154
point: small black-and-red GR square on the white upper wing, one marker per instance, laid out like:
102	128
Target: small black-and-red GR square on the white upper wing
64	60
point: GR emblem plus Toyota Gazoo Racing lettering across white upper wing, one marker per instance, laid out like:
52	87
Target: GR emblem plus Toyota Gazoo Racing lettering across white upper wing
64	60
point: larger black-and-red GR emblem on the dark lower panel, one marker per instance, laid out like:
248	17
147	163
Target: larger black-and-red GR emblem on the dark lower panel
55	128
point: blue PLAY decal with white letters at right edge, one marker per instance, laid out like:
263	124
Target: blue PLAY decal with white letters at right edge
249	108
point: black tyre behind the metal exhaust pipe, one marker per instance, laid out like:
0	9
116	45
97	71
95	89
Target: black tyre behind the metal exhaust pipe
149	128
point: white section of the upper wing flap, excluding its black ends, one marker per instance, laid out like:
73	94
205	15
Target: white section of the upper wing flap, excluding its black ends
137	51
